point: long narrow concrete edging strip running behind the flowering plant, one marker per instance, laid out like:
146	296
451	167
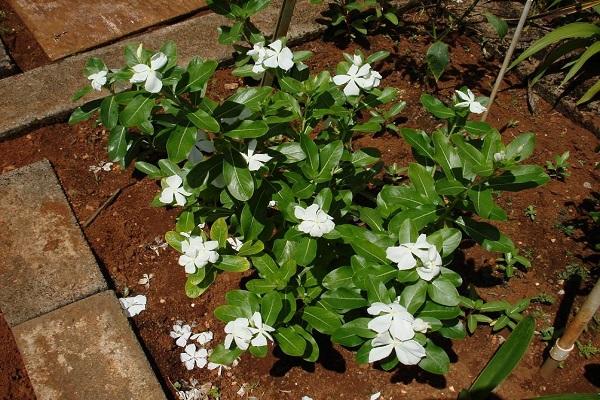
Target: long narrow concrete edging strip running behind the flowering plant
43	95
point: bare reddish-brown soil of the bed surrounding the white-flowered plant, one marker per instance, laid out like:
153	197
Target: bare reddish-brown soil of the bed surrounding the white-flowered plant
123	238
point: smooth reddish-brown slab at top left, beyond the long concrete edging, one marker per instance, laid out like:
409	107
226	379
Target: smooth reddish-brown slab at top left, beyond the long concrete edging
64	27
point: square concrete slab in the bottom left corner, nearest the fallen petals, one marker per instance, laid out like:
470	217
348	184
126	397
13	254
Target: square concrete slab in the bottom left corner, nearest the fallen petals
84	351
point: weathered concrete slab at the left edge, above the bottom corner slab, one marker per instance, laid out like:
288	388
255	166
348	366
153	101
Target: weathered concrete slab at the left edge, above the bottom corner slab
45	261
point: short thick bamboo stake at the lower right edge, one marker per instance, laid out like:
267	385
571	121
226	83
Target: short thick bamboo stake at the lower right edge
565	344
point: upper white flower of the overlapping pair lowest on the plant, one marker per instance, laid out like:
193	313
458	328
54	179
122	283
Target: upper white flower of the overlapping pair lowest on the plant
393	318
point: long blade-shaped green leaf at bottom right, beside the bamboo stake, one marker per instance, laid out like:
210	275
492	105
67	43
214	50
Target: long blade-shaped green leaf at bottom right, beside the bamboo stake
504	361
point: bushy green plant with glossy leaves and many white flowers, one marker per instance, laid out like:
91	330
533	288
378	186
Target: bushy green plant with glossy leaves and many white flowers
270	179
